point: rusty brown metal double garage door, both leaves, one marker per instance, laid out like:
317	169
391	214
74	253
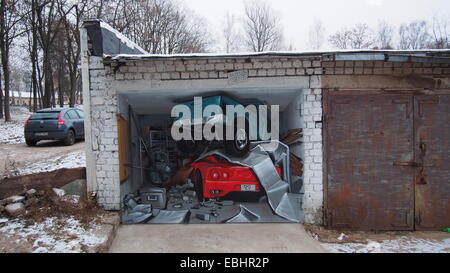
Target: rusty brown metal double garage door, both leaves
387	161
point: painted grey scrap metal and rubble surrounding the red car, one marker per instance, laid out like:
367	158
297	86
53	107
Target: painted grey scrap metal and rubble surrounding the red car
181	203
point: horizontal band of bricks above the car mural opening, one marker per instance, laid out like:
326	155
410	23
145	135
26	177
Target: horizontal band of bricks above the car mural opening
214	68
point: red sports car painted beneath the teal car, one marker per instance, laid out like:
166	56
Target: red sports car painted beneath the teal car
215	178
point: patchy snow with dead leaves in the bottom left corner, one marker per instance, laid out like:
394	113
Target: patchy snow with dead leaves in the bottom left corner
54	235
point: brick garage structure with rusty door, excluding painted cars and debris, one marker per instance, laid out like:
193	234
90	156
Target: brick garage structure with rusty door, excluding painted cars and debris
375	144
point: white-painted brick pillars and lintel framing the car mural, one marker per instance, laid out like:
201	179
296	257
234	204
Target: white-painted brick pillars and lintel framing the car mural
103	95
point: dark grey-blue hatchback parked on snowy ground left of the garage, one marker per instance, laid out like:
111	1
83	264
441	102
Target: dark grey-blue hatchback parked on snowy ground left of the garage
65	124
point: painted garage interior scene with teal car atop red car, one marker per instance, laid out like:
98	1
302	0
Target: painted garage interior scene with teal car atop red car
211	159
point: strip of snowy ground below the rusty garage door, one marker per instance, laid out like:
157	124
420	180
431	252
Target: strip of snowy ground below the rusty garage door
400	245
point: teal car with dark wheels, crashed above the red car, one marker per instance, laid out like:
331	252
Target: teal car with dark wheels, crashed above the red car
240	144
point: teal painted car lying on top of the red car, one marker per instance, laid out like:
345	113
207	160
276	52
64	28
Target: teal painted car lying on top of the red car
239	145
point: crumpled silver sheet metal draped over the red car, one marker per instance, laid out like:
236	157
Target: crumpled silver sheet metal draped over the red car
282	202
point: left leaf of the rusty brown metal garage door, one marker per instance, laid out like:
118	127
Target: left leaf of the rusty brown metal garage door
366	134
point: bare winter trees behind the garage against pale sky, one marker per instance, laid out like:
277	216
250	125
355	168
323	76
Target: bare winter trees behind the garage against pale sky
40	39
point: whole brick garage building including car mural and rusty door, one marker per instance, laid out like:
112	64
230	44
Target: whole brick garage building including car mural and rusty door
354	139
